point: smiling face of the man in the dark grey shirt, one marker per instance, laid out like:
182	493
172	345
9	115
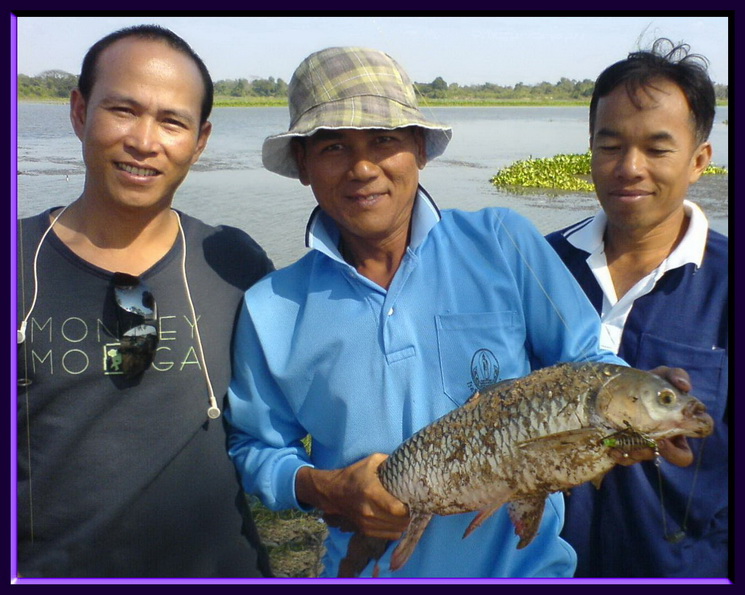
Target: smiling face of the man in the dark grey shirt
140	126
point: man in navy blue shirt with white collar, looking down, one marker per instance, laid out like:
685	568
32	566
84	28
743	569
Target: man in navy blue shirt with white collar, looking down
658	277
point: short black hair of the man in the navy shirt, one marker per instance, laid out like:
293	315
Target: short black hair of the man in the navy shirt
664	61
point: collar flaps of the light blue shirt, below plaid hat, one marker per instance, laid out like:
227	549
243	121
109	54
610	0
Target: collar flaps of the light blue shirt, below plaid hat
322	233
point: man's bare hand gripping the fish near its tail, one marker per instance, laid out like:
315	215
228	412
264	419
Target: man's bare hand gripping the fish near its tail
355	494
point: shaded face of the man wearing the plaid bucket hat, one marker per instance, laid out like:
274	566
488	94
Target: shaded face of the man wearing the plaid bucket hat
366	180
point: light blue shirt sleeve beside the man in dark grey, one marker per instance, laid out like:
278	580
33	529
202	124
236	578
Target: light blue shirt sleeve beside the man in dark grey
264	438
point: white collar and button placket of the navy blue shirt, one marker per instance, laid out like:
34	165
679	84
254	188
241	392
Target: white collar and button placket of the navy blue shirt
614	311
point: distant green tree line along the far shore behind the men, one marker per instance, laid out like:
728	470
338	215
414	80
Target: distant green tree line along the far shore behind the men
57	83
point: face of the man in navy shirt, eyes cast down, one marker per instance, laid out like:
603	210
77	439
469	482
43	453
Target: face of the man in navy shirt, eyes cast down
643	160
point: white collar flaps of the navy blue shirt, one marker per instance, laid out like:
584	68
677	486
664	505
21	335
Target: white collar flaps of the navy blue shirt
587	235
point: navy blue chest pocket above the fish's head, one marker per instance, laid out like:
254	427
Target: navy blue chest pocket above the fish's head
708	368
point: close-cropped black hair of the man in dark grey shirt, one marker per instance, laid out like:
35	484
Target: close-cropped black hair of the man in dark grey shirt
87	77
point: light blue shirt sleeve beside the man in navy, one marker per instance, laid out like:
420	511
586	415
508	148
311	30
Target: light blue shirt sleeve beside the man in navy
561	323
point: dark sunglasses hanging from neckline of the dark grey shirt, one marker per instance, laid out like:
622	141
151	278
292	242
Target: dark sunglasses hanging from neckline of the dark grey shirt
137	319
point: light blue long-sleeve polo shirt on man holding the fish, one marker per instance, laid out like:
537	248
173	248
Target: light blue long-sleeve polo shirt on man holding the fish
321	350
